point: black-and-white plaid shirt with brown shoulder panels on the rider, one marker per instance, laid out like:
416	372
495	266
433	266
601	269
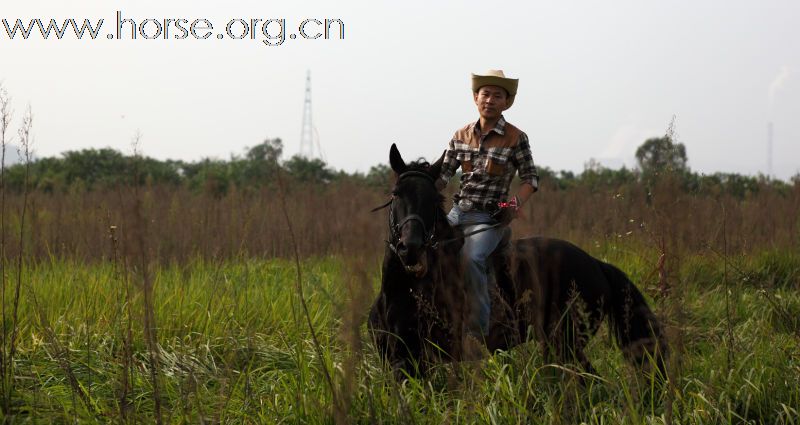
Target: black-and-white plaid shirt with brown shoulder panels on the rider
489	162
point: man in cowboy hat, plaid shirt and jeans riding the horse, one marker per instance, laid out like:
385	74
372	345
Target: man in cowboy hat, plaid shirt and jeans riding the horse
489	152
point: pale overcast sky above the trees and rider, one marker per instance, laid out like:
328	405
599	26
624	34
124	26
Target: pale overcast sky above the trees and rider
596	79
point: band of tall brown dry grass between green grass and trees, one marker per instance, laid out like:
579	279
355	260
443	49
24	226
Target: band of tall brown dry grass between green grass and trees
336	218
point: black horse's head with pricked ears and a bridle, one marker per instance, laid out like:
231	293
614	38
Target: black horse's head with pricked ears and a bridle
414	210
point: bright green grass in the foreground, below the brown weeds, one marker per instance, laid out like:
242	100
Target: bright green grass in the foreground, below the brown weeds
234	347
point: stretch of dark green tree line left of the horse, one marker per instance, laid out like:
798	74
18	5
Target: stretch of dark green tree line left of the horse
94	169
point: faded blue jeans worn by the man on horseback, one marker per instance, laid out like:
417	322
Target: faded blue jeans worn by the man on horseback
474	255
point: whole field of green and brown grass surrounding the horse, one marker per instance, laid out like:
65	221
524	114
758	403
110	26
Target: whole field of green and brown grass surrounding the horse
154	304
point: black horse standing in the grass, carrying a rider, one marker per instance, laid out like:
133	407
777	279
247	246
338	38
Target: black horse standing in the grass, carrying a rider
554	293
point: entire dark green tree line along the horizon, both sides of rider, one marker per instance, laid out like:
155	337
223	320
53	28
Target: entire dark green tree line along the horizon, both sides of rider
260	165
